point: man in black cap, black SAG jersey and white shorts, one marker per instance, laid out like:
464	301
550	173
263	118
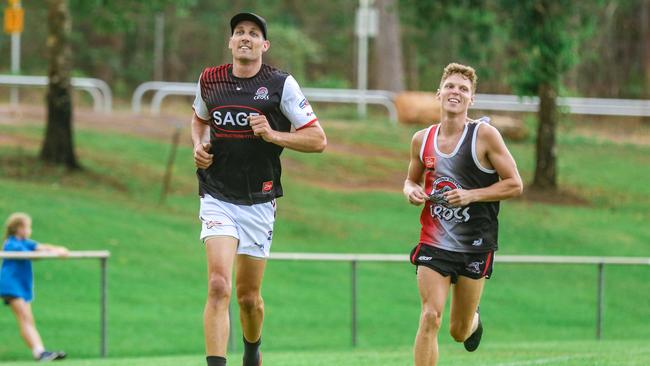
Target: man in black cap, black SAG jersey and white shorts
245	113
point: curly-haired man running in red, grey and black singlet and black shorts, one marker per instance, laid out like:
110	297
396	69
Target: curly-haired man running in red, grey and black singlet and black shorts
459	170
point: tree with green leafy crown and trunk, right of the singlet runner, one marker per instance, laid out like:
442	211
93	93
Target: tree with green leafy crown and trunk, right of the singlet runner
545	35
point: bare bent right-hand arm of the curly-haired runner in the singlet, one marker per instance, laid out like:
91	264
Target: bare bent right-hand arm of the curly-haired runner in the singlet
497	155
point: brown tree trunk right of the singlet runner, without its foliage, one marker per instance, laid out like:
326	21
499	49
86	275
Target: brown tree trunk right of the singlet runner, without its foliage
546	164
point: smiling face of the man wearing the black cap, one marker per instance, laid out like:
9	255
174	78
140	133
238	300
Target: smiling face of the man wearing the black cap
247	42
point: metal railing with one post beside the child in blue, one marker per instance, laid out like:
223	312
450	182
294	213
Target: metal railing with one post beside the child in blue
102	255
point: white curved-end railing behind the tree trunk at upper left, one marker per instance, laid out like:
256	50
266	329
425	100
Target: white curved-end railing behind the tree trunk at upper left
98	89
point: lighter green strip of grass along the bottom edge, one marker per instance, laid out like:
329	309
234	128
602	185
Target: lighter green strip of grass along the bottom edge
604	353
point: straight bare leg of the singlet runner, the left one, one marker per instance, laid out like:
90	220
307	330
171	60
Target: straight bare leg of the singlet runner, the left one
434	288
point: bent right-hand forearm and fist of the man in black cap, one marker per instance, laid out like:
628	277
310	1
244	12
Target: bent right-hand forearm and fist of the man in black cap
309	139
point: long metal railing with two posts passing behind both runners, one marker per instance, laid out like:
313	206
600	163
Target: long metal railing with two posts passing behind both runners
354	259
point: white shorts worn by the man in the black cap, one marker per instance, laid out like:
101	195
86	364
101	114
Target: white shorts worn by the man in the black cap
251	225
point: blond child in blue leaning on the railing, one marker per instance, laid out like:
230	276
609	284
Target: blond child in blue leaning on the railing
17	282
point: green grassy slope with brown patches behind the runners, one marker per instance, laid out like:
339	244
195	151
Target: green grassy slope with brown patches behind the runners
157	270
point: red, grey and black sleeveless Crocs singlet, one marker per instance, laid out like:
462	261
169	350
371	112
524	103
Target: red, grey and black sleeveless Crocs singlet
472	228
